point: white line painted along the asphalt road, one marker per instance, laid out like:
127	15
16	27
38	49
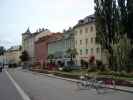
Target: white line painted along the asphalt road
19	89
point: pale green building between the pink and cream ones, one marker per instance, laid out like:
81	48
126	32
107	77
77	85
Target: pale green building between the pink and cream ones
58	45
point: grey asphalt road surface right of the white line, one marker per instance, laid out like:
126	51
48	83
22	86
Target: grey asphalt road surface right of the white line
41	87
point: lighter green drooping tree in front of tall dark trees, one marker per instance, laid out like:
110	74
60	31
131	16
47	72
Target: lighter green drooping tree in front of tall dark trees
121	53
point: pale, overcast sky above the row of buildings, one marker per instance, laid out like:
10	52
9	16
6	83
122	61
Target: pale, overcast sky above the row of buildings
17	15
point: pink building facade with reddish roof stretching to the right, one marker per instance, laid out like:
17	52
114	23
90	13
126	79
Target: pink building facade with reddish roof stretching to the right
41	49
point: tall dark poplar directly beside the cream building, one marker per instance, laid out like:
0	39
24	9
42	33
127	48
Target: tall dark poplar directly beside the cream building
106	22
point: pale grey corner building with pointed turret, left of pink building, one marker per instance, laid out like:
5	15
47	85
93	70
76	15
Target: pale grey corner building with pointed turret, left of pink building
28	42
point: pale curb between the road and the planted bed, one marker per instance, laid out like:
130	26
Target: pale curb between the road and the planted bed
75	81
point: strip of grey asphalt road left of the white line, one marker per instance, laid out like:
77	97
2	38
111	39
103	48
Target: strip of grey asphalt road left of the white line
7	89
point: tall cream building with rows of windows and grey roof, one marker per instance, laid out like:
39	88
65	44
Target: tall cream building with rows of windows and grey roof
85	39
